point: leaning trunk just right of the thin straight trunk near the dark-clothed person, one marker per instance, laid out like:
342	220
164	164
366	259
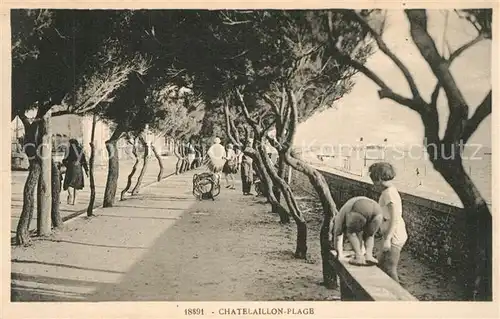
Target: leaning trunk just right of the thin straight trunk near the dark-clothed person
113	169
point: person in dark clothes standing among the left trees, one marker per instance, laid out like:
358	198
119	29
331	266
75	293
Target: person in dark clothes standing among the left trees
75	162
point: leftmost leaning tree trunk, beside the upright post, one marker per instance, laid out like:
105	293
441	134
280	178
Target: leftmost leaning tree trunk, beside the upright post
22	234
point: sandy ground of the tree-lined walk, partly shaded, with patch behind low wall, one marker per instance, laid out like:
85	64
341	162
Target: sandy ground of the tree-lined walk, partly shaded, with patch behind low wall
164	245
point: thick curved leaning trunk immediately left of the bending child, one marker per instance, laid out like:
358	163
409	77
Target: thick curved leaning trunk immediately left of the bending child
329	212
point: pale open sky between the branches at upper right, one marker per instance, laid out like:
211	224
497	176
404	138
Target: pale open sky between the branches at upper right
362	114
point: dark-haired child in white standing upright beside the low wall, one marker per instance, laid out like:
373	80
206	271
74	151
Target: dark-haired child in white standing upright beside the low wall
393	227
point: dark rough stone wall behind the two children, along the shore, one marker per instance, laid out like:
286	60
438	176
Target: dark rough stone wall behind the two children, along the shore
436	231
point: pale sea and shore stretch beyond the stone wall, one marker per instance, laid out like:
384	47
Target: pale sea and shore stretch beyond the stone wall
414	172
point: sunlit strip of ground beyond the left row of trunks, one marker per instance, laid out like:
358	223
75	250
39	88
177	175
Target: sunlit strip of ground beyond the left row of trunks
19	178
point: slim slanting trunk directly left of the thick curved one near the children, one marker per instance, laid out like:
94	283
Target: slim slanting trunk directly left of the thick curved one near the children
301	248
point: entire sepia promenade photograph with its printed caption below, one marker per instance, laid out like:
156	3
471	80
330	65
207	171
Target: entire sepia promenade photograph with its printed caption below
250	155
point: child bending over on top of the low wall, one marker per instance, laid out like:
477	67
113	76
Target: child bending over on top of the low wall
359	218
